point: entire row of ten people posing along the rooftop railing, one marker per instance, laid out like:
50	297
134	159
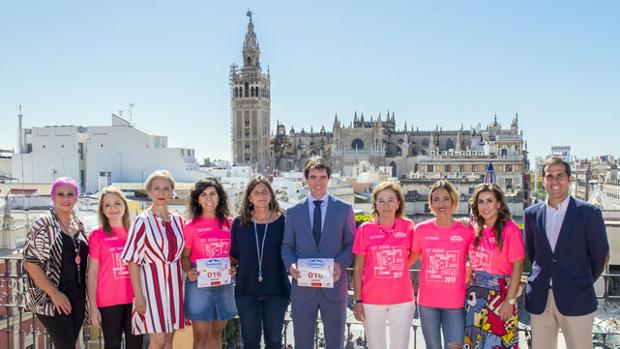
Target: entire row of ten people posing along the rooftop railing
143	278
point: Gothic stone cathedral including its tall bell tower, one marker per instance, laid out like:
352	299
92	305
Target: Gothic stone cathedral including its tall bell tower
411	153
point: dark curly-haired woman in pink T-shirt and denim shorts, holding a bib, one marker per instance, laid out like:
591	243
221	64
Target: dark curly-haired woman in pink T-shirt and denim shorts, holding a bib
207	235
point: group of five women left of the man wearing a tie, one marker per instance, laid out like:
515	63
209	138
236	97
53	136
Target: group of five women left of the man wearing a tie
140	277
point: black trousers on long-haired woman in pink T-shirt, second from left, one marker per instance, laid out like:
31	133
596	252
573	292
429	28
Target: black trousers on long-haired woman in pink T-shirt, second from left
116	320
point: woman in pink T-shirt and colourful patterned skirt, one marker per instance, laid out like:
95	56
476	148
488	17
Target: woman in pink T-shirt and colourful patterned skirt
496	259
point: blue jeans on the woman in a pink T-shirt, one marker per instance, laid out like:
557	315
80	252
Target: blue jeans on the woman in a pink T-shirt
451	321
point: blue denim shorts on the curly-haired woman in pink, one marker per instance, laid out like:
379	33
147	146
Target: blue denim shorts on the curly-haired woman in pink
209	303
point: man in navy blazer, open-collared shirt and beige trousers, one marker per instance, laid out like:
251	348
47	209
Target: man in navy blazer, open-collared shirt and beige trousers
566	242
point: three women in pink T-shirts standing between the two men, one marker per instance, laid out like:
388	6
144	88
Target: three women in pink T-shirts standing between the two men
464	306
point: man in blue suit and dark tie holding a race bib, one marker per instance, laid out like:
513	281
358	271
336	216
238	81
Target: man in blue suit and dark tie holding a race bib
319	226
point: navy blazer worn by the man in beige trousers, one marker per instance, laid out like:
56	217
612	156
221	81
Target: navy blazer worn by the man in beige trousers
578	259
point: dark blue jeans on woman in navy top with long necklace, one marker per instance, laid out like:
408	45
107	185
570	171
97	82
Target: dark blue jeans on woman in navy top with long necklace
261	314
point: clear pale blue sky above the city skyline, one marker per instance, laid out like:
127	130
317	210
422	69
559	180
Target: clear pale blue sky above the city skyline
442	63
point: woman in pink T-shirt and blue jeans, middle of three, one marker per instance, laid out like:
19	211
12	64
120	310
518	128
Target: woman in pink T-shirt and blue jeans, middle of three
442	243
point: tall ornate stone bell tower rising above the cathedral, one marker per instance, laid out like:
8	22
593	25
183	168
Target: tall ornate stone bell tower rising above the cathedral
251	107
